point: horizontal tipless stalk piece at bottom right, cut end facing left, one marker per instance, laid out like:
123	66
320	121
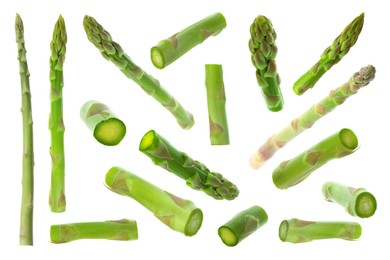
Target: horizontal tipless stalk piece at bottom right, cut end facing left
300	231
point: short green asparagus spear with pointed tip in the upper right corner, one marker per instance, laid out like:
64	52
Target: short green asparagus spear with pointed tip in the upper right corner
331	55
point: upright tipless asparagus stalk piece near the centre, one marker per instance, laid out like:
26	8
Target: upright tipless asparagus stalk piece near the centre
216	99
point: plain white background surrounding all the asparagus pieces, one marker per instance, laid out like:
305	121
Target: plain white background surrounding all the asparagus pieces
305	29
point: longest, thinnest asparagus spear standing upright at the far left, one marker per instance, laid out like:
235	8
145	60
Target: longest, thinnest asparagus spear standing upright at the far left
26	210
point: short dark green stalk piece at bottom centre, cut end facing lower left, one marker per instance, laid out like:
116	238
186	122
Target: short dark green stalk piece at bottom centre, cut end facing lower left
242	225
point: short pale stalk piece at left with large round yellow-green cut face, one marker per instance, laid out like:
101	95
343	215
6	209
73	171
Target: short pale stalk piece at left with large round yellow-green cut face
106	127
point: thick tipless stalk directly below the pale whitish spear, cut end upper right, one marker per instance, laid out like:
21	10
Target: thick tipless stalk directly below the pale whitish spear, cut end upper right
292	172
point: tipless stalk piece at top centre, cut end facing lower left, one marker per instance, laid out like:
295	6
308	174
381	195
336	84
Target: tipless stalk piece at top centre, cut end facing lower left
169	50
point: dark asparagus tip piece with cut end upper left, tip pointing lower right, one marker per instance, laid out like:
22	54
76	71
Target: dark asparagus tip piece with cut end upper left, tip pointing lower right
196	175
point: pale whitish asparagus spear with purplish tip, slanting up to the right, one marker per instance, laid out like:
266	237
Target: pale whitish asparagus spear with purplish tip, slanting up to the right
306	120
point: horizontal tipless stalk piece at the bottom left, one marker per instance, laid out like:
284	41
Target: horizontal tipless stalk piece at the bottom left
123	230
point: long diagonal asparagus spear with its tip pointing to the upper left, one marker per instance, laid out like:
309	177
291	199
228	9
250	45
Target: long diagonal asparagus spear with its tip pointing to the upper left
112	51
